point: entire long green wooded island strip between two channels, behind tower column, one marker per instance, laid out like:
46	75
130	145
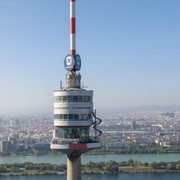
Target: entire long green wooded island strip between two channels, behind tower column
129	166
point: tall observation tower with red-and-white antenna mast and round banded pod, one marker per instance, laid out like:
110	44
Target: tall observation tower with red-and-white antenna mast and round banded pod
74	115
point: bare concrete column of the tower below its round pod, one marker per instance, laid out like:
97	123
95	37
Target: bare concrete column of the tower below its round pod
74	168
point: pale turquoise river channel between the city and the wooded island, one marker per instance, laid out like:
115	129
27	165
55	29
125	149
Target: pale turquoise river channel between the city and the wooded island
58	159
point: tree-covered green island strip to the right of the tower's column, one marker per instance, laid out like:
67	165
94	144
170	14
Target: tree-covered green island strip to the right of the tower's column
131	166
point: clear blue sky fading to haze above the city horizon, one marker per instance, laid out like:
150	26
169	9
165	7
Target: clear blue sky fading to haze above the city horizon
130	51
